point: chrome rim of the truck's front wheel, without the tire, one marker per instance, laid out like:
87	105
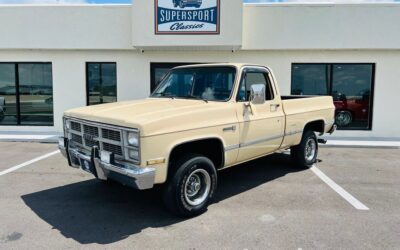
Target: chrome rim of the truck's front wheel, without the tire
197	187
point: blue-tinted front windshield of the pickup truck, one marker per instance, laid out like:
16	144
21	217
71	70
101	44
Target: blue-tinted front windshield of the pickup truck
205	83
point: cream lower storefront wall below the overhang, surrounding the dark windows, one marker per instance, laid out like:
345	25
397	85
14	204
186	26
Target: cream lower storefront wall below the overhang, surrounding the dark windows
133	76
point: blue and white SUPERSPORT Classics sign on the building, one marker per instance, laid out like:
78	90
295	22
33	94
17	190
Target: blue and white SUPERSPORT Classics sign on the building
187	16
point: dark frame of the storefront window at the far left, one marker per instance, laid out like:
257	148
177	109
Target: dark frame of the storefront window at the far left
17	94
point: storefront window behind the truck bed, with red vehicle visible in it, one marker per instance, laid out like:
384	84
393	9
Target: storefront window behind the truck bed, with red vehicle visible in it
350	85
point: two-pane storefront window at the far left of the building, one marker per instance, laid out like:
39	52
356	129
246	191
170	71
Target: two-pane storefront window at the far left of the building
26	94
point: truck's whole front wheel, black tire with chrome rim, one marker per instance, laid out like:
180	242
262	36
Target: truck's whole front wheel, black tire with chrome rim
191	187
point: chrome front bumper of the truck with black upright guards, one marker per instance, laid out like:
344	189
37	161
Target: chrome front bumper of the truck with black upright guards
125	173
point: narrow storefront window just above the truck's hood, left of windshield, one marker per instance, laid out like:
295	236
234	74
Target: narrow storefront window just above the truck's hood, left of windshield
101	83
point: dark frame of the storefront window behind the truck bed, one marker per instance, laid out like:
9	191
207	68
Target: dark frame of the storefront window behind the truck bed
329	76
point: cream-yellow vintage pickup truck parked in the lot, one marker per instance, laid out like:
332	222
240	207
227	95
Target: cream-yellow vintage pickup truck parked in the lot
199	120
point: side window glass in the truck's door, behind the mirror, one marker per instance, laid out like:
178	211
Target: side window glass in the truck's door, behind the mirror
251	78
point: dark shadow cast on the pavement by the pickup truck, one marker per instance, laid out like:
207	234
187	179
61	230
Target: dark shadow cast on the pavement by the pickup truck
95	212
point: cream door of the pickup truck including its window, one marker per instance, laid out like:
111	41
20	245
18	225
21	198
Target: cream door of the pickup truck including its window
261	126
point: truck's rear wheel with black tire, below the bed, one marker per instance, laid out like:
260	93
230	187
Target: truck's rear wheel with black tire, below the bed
305	154
